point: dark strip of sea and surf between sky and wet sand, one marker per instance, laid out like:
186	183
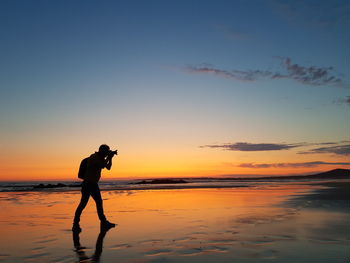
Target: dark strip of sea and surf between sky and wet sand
154	184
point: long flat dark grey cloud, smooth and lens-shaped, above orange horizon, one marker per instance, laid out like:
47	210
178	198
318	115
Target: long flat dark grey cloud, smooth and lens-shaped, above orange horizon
247	147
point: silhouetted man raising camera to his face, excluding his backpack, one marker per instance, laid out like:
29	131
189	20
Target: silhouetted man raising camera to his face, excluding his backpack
96	162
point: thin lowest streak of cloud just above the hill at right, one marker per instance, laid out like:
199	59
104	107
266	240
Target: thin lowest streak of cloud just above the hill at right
289	165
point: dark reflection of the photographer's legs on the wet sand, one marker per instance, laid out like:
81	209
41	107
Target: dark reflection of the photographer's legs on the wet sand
80	250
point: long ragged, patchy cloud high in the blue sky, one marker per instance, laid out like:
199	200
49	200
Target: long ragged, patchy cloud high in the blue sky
312	75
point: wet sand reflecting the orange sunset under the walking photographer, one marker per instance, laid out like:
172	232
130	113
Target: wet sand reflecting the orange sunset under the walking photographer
279	223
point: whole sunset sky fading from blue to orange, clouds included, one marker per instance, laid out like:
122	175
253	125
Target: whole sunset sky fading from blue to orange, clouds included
180	88
